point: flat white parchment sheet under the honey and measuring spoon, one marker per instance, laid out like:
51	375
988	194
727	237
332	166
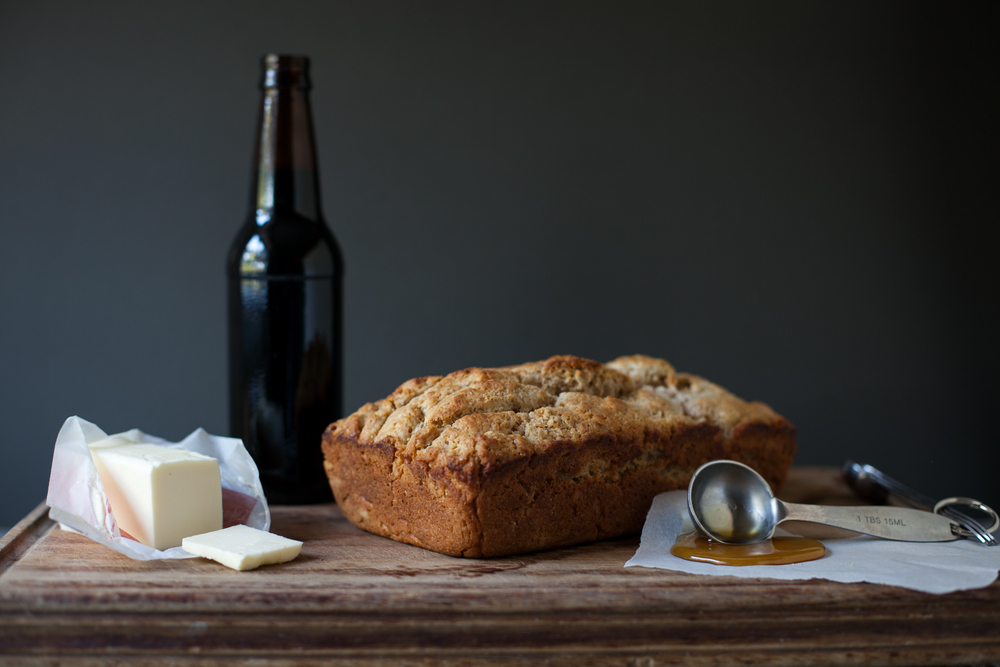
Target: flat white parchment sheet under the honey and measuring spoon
931	567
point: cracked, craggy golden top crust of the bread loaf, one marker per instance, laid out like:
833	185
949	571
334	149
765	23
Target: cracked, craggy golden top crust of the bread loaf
484	417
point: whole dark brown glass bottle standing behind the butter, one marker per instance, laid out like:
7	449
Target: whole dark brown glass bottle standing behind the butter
285	305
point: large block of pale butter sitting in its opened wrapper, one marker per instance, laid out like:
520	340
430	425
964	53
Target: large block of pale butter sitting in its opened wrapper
159	495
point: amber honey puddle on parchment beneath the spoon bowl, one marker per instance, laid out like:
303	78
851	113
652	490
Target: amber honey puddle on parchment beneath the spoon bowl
779	550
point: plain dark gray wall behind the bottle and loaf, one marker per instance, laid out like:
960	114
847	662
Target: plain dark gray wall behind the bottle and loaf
795	200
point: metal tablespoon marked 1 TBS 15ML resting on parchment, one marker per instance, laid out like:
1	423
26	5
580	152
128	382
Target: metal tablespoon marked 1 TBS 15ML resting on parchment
731	503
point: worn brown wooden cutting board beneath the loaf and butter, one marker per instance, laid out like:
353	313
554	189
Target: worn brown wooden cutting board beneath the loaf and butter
365	600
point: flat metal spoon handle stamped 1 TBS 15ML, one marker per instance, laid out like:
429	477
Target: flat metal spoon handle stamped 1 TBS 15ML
891	523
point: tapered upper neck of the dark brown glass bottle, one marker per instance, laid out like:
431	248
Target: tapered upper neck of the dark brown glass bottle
285	178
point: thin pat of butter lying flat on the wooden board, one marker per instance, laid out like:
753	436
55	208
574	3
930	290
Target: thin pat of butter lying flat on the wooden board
243	547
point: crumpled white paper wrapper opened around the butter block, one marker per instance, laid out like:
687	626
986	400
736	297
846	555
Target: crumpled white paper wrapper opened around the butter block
76	497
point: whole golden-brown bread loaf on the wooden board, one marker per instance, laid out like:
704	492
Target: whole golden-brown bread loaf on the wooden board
499	461
